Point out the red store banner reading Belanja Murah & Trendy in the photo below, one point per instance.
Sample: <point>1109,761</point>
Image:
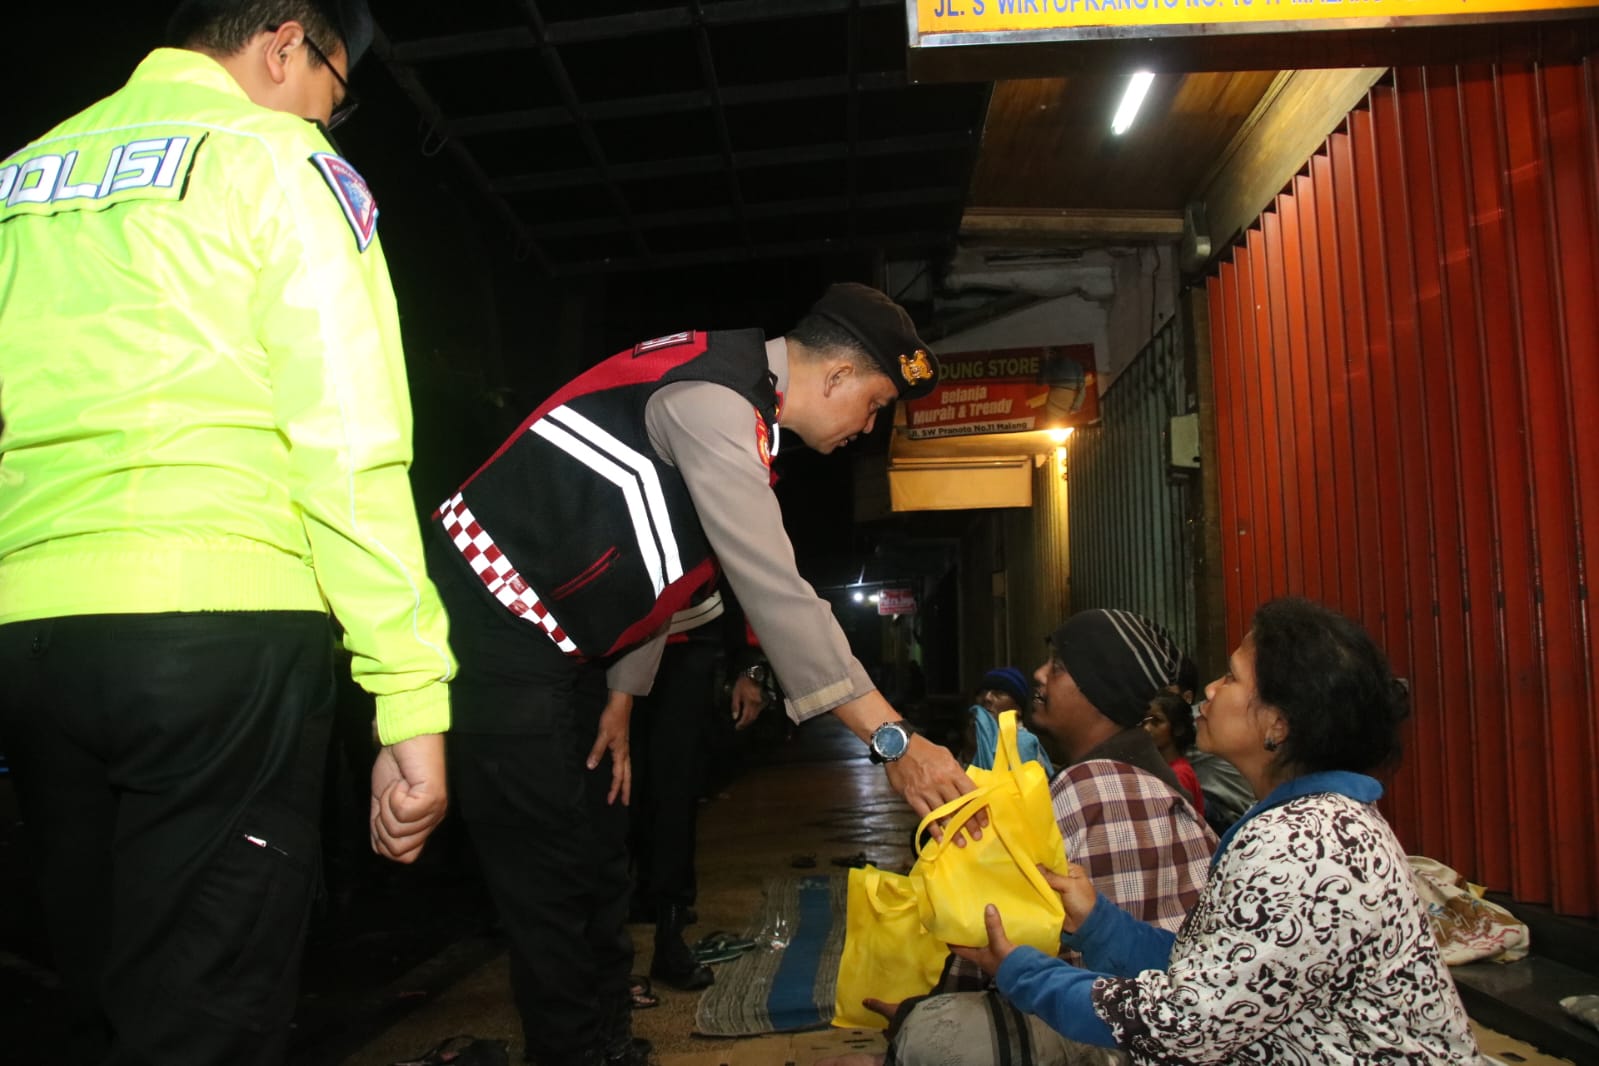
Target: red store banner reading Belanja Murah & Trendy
<point>1008,391</point>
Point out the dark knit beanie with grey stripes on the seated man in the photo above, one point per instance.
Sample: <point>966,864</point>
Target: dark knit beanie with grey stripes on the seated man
<point>1119,659</point>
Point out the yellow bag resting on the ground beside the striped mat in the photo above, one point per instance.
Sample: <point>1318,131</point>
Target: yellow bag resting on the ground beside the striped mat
<point>888,955</point>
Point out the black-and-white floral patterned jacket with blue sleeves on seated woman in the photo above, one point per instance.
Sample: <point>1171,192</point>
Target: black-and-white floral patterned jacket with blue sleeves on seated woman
<point>1309,945</point>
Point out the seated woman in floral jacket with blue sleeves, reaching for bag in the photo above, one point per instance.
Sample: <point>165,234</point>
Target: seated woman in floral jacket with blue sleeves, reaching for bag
<point>1309,944</point>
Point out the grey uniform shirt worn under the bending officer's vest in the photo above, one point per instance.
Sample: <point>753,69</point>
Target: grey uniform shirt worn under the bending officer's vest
<point>708,432</point>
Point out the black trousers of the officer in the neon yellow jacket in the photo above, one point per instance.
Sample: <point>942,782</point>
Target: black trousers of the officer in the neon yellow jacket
<point>169,771</point>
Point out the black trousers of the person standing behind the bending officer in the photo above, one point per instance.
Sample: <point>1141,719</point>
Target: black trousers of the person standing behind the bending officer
<point>669,750</point>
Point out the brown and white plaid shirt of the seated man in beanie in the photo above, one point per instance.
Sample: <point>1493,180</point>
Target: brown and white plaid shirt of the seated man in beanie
<point>1138,838</point>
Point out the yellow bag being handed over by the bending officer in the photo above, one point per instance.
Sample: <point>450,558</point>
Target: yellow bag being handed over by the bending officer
<point>954,885</point>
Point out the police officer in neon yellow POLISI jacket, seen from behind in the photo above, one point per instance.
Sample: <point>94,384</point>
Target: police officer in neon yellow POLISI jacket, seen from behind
<point>205,445</point>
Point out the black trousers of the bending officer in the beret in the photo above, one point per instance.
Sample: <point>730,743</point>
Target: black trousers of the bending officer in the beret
<point>524,718</point>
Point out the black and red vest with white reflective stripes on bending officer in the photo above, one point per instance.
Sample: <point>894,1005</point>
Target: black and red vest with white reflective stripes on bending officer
<point>575,525</point>
